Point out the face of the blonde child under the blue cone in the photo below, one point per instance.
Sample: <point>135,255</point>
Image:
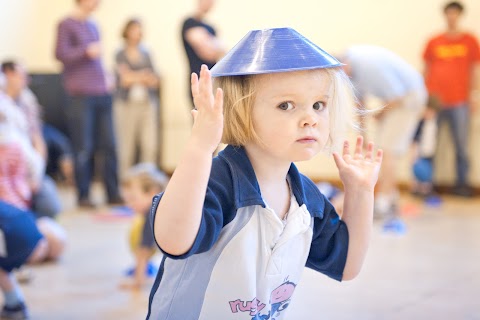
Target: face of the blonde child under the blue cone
<point>291,114</point>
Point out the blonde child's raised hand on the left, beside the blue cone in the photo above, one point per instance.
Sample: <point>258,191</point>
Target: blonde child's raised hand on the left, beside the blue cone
<point>208,112</point>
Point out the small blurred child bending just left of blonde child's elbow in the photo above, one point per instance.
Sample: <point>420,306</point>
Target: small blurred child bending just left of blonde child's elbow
<point>139,185</point>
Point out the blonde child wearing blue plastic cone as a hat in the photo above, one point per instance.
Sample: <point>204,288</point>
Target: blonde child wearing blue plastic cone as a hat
<point>237,230</point>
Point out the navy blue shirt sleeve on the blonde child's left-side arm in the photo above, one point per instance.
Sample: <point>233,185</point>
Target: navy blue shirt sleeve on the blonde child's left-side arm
<point>218,209</point>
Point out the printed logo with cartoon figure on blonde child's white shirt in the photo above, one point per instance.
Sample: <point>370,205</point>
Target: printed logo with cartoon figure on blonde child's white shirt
<point>279,301</point>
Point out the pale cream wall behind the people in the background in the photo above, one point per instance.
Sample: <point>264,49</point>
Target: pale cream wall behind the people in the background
<point>402,26</point>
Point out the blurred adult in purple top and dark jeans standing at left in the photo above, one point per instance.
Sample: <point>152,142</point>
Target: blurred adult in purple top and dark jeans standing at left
<point>90,117</point>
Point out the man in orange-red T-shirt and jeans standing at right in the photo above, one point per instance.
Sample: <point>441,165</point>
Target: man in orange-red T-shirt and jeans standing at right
<point>452,76</point>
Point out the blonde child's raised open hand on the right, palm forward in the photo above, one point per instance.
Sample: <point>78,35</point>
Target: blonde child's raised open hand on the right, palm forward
<point>359,170</point>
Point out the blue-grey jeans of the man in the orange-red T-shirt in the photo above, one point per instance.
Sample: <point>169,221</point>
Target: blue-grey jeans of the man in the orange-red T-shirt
<point>458,121</point>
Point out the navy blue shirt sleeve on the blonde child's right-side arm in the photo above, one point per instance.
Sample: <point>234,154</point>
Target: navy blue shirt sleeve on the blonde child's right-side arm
<point>328,252</point>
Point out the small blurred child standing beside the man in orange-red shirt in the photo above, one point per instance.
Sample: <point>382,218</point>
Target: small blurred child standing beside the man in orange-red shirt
<point>424,147</point>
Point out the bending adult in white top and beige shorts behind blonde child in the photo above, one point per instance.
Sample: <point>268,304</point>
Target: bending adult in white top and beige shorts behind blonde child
<point>378,72</point>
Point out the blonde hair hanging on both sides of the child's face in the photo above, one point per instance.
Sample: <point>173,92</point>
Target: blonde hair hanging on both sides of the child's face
<point>239,96</point>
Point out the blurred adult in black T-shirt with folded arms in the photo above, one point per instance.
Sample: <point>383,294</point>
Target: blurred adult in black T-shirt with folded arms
<point>200,40</point>
